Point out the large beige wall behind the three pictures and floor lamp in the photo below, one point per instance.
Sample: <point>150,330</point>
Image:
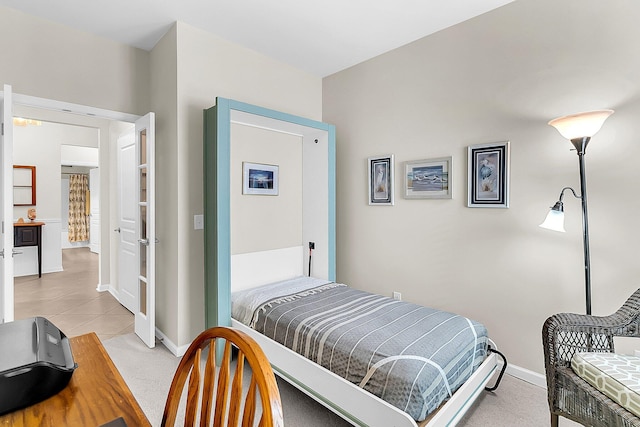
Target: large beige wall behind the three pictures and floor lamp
<point>498,77</point>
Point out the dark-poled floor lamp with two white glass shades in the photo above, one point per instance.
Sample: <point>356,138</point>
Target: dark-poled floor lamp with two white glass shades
<point>577,128</point>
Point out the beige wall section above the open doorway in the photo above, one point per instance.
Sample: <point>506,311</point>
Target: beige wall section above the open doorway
<point>49,60</point>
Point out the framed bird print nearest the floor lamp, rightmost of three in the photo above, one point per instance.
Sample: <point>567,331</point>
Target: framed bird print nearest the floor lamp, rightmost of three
<point>488,175</point>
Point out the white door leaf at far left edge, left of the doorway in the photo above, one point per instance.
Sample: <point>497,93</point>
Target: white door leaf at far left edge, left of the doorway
<point>6,178</point>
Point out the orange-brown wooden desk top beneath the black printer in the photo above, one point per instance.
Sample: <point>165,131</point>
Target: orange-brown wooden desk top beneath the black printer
<point>96,394</point>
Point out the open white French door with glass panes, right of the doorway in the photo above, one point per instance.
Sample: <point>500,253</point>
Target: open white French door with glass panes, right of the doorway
<point>145,313</point>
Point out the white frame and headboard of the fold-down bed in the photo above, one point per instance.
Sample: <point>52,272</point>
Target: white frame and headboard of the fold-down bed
<point>347,400</point>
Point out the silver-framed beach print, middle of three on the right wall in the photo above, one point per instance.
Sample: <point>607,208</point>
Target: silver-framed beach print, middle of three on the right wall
<point>428,179</point>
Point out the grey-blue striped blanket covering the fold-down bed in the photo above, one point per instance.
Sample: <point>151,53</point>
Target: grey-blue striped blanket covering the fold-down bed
<point>411,356</point>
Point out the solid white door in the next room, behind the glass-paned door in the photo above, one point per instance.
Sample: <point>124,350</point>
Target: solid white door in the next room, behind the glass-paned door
<point>127,222</point>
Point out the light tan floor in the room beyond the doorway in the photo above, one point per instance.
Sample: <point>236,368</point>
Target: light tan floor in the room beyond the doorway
<point>70,301</point>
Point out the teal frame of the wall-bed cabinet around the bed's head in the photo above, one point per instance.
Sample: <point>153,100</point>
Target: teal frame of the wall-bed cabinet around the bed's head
<point>217,195</point>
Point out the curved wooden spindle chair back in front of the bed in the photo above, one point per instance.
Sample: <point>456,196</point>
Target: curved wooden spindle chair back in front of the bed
<point>218,395</point>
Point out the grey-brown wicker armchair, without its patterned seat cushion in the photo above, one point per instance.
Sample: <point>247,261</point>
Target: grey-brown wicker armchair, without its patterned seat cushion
<point>565,334</point>
